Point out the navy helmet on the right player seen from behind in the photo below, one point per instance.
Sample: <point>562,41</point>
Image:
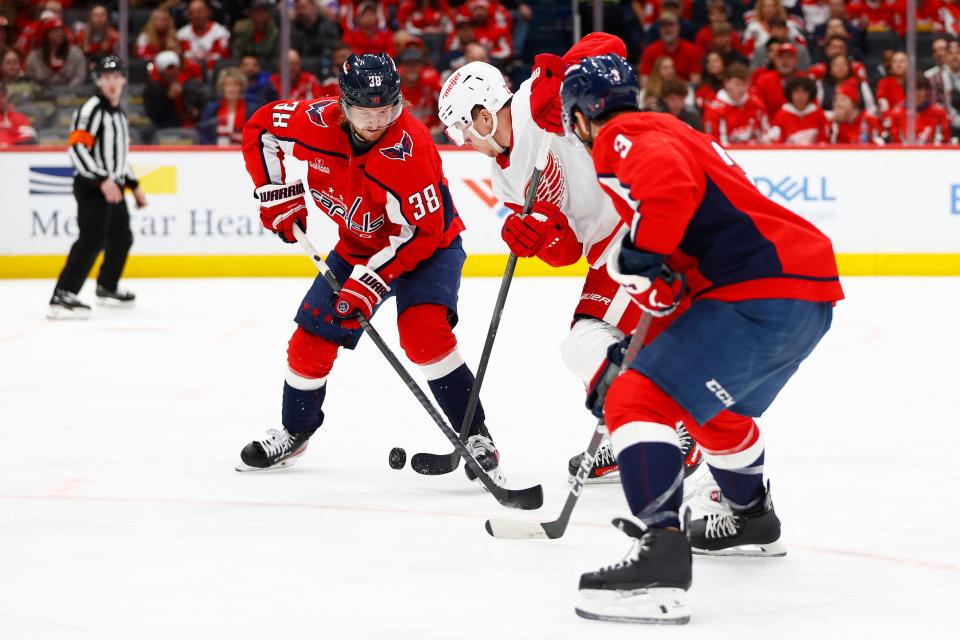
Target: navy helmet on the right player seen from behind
<point>597,86</point>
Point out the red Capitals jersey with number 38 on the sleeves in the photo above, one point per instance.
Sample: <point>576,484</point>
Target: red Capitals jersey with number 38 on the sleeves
<point>391,202</point>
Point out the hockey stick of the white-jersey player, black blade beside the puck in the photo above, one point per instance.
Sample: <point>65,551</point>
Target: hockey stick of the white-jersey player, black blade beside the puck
<point>436,464</point>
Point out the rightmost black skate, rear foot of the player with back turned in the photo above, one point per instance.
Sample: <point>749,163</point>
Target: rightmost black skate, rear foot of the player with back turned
<point>751,532</point>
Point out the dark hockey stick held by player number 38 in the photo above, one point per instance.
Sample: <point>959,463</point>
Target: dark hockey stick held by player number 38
<point>530,498</point>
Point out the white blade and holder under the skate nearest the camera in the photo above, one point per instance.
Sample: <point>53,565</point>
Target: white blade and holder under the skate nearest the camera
<point>657,605</point>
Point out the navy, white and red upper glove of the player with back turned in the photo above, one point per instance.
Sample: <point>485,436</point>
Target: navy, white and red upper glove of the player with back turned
<point>645,276</point>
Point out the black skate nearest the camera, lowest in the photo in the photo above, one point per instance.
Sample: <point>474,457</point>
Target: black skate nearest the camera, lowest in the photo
<point>647,586</point>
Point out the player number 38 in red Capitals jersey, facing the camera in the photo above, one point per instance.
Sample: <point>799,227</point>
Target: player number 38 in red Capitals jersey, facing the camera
<point>374,170</point>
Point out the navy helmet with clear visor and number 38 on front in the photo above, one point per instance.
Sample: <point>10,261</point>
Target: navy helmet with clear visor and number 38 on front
<point>369,81</point>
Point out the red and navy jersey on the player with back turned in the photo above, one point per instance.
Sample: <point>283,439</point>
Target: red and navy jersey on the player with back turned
<point>691,202</point>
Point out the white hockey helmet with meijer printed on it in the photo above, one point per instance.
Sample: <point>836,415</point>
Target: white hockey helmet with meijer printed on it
<point>476,83</point>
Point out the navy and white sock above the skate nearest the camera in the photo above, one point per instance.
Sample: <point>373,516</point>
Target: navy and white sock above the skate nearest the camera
<point>651,471</point>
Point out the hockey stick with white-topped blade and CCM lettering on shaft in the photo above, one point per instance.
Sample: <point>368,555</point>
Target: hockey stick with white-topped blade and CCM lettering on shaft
<point>515,529</point>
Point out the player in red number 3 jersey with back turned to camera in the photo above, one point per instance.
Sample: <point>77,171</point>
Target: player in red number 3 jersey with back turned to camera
<point>763,283</point>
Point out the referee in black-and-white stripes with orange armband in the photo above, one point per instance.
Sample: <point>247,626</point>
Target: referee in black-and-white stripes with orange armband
<point>99,148</point>
